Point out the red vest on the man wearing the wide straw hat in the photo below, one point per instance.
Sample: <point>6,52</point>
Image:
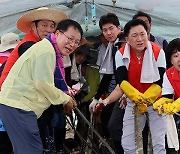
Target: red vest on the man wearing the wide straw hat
<point>14,55</point>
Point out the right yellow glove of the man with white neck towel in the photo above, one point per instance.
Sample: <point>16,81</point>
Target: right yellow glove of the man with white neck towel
<point>152,93</point>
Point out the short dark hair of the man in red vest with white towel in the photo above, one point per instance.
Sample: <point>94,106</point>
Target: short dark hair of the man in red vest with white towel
<point>133,23</point>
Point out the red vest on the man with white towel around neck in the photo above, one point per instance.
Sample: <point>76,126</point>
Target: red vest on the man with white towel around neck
<point>135,66</point>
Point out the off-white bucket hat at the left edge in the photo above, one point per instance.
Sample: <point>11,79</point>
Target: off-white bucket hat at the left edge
<point>9,41</point>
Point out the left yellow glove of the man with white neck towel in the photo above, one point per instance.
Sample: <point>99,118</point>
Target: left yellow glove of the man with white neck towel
<point>131,92</point>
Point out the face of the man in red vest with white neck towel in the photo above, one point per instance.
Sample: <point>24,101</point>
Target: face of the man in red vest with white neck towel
<point>137,38</point>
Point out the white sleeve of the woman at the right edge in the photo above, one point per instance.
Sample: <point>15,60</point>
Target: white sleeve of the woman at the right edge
<point>166,86</point>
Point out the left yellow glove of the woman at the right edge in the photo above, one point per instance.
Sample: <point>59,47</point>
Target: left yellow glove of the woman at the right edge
<point>158,105</point>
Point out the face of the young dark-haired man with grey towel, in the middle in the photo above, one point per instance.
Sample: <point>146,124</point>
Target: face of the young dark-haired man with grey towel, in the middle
<point>111,32</point>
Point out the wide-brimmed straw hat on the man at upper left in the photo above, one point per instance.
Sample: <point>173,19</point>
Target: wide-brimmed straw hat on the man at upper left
<point>44,13</point>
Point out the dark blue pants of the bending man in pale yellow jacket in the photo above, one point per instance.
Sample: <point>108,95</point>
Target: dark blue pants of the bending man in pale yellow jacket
<point>22,130</point>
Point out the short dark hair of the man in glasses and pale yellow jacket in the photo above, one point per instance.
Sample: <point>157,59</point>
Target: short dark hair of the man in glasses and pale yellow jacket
<point>65,24</point>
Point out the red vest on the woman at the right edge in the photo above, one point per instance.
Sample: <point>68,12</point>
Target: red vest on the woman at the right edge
<point>174,79</point>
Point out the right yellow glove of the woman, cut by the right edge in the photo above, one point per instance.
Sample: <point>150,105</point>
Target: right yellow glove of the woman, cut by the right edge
<point>173,107</point>
